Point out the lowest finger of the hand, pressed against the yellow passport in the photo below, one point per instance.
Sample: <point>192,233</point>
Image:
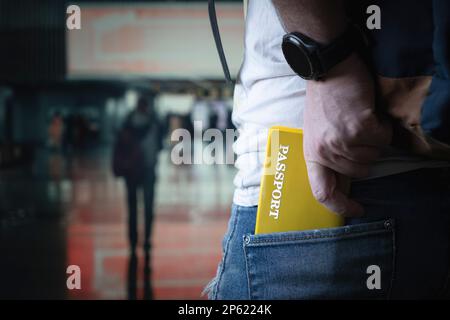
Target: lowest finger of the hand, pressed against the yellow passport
<point>325,186</point>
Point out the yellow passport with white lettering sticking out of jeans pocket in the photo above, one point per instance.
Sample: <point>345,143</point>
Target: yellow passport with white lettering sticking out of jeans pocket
<point>286,202</point>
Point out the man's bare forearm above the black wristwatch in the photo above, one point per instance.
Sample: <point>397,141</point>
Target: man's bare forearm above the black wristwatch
<point>322,20</point>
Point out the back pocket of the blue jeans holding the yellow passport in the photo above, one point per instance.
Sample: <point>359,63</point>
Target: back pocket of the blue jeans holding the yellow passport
<point>349,262</point>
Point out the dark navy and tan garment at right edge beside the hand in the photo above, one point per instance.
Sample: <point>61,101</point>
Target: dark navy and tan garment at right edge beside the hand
<point>411,56</point>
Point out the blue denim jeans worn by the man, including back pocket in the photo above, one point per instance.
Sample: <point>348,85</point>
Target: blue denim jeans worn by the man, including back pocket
<point>400,249</point>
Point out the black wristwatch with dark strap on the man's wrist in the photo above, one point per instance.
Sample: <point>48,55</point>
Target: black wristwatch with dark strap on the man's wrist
<point>312,60</point>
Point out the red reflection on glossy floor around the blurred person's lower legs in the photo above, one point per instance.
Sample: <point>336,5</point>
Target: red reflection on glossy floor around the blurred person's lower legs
<point>183,259</point>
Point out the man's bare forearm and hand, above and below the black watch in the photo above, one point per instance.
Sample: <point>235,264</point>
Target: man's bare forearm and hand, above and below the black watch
<point>342,135</point>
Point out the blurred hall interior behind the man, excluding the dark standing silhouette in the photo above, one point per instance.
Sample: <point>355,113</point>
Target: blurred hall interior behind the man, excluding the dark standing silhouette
<point>64,95</point>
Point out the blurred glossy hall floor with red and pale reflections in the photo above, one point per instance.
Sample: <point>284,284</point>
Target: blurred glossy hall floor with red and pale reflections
<point>71,211</point>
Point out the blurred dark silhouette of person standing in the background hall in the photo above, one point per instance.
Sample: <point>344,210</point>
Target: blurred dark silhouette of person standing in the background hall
<point>135,158</point>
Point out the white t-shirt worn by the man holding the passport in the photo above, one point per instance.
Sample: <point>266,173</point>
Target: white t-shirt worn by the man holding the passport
<point>269,93</point>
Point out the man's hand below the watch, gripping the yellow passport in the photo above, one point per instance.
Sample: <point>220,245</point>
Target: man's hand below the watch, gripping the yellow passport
<point>342,134</point>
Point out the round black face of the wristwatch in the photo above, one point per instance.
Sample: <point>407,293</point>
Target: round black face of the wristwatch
<point>297,57</point>
